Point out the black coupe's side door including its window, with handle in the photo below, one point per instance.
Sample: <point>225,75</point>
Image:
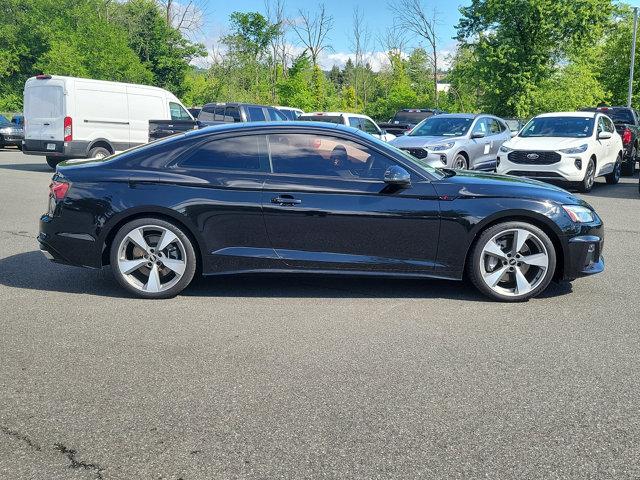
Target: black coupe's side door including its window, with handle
<point>326,207</point>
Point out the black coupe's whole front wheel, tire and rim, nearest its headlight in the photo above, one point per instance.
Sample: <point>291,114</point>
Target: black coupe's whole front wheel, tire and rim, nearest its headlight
<point>512,262</point>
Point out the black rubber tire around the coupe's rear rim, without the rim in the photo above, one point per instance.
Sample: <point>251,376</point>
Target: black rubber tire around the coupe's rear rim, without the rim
<point>189,254</point>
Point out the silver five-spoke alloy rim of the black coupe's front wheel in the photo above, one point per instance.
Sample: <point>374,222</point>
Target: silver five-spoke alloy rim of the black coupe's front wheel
<point>514,262</point>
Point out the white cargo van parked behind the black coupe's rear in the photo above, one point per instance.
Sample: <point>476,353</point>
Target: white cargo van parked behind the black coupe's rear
<point>68,117</point>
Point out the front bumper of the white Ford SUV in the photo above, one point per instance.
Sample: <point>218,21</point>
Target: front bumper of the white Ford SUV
<point>564,170</point>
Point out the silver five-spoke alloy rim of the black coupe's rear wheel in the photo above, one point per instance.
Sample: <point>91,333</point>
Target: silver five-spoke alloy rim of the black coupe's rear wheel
<point>151,258</point>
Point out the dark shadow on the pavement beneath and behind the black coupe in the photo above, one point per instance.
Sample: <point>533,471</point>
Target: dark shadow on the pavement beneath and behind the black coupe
<point>31,270</point>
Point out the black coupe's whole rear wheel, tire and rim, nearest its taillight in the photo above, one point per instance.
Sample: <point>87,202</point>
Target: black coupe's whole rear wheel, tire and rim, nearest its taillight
<point>152,258</point>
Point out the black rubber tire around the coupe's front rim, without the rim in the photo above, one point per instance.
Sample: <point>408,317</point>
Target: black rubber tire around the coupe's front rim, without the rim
<point>475,265</point>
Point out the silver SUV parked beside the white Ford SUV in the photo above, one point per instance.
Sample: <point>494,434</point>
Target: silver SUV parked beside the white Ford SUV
<point>456,140</point>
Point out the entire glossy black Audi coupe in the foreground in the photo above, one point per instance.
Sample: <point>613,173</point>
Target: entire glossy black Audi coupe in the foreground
<point>310,197</point>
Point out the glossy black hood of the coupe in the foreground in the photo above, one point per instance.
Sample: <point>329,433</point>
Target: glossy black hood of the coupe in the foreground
<point>470,183</point>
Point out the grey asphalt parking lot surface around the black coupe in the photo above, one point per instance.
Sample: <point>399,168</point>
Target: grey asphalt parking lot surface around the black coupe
<point>270,377</point>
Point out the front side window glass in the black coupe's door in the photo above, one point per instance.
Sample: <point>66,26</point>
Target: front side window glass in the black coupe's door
<point>321,155</point>
